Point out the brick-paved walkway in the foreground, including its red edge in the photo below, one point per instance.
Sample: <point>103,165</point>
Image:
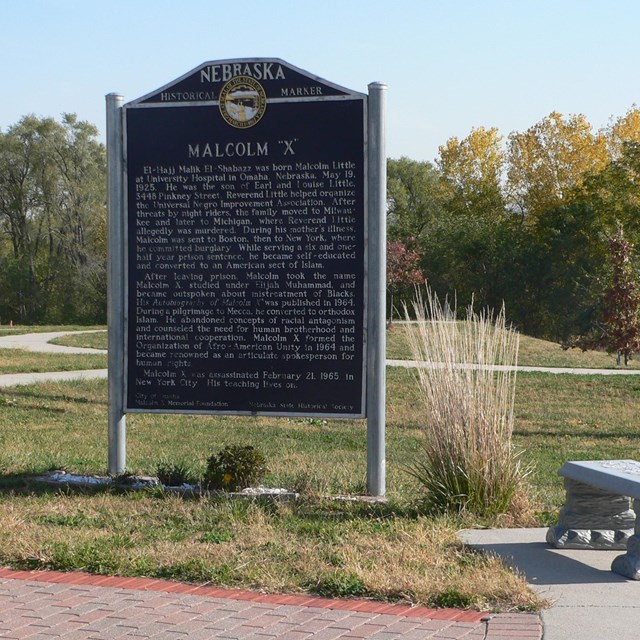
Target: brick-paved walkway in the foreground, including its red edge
<point>43,605</point>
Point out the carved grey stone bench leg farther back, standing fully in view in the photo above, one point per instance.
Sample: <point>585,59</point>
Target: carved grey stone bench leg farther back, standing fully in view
<point>592,519</point>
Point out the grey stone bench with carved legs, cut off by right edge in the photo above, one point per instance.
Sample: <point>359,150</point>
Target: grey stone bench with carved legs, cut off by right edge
<point>597,513</point>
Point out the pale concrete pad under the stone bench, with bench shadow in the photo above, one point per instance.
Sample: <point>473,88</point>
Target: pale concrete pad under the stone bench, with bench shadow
<point>589,602</point>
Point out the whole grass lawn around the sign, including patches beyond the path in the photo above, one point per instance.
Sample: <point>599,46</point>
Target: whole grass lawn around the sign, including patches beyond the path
<point>316,545</point>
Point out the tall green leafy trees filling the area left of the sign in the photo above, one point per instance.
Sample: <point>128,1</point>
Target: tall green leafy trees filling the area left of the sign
<point>52,221</point>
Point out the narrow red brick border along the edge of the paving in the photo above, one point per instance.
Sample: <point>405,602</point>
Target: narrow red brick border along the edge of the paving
<point>167,586</point>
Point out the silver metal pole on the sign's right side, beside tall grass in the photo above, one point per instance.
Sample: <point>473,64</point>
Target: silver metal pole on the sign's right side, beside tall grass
<point>376,339</point>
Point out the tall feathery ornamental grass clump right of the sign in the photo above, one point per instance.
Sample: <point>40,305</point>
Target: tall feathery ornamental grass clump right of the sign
<point>467,461</point>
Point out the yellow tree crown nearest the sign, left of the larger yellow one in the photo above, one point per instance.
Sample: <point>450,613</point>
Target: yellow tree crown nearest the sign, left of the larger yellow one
<point>473,169</point>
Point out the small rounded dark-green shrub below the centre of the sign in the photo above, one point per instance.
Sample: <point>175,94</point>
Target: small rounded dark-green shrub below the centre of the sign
<point>234,468</point>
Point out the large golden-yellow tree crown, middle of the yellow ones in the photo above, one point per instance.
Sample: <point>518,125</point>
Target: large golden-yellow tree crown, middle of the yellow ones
<point>550,160</point>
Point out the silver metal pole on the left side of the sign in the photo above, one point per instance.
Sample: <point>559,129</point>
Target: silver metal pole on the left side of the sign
<point>115,285</point>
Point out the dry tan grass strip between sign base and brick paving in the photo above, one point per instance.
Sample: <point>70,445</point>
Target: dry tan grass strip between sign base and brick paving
<point>280,548</point>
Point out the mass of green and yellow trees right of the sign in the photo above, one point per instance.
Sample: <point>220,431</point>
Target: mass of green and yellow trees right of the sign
<point>525,220</point>
